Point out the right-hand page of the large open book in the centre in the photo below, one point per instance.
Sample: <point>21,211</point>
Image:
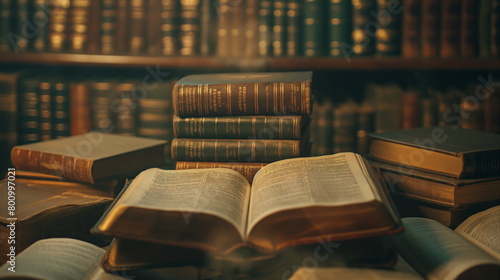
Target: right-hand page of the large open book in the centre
<point>320,181</point>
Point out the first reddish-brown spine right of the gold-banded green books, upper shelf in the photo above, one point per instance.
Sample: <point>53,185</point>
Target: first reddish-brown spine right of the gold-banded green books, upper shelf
<point>410,40</point>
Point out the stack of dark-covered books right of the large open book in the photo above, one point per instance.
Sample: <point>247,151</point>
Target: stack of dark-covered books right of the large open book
<point>444,173</point>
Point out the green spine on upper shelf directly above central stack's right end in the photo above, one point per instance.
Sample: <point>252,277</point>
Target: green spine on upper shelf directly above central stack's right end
<point>314,17</point>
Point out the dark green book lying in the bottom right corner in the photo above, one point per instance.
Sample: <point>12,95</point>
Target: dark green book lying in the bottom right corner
<point>437,252</point>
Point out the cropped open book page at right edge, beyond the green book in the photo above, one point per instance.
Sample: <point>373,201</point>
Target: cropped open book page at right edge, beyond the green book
<point>483,228</point>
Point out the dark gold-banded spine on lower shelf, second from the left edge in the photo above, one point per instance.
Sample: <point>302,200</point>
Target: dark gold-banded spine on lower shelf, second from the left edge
<point>29,114</point>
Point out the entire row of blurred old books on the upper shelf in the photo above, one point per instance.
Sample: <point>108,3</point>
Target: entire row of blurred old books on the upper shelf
<point>224,28</point>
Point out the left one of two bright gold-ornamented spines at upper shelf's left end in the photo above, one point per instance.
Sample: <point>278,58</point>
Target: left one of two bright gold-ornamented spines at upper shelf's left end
<point>58,21</point>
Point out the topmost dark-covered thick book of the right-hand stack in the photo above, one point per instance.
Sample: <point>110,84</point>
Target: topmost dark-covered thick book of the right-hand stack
<point>454,152</point>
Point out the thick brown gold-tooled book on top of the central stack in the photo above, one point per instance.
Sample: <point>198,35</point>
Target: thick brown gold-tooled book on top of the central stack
<point>286,93</point>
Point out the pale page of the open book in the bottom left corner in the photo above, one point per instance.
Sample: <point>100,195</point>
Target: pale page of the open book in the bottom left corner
<point>58,258</point>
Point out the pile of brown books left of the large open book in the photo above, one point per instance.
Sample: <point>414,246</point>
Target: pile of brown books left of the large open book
<point>61,187</point>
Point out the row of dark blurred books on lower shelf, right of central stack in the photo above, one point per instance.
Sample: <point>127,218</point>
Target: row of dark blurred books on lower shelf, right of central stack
<point>346,125</point>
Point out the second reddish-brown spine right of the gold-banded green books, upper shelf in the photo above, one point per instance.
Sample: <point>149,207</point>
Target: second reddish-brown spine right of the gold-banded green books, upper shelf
<point>431,26</point>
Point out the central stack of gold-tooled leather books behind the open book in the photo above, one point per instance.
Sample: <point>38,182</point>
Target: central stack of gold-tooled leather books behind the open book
<point>240,121</point>
